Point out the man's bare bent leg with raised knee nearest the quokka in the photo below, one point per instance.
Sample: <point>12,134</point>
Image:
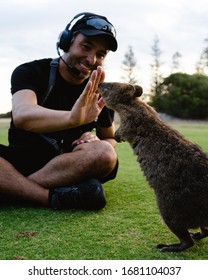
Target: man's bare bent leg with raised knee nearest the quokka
<point>89,160</point>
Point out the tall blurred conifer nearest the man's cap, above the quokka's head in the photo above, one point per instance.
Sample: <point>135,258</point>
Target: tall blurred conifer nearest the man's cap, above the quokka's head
<point>129,66</point>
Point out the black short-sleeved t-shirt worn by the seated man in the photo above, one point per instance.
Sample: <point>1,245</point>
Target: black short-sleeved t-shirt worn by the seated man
<point>35,76</point>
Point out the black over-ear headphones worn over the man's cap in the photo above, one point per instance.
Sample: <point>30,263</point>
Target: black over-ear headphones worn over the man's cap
<point>66,36</point>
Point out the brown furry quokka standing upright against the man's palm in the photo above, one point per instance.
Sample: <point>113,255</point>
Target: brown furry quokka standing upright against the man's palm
<point>175,168</point>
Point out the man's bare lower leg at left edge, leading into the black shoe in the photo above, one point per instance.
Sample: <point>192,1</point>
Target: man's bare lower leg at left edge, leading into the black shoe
<point>15,184</point>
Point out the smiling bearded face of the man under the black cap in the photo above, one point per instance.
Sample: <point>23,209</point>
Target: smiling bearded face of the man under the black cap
<point>86,54</point>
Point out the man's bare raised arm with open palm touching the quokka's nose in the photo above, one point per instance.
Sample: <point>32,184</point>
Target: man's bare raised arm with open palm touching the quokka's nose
<point>30,116</point>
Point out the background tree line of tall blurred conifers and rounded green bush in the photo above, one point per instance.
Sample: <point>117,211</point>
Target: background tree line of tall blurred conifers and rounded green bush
<point>179,94</point>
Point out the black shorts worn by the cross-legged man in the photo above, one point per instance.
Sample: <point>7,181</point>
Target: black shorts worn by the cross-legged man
<point>30,159</point>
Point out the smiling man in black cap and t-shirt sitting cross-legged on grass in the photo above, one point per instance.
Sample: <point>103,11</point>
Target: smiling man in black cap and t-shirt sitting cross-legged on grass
<point>54,158</point>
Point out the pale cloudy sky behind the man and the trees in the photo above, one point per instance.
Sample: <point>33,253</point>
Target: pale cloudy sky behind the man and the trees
<point>29,30</point>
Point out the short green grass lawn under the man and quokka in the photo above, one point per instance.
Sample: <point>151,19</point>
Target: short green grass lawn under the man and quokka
<point>129,227</point>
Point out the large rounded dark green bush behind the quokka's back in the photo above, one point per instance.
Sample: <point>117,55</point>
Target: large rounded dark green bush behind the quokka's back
<point>183,96</point>
